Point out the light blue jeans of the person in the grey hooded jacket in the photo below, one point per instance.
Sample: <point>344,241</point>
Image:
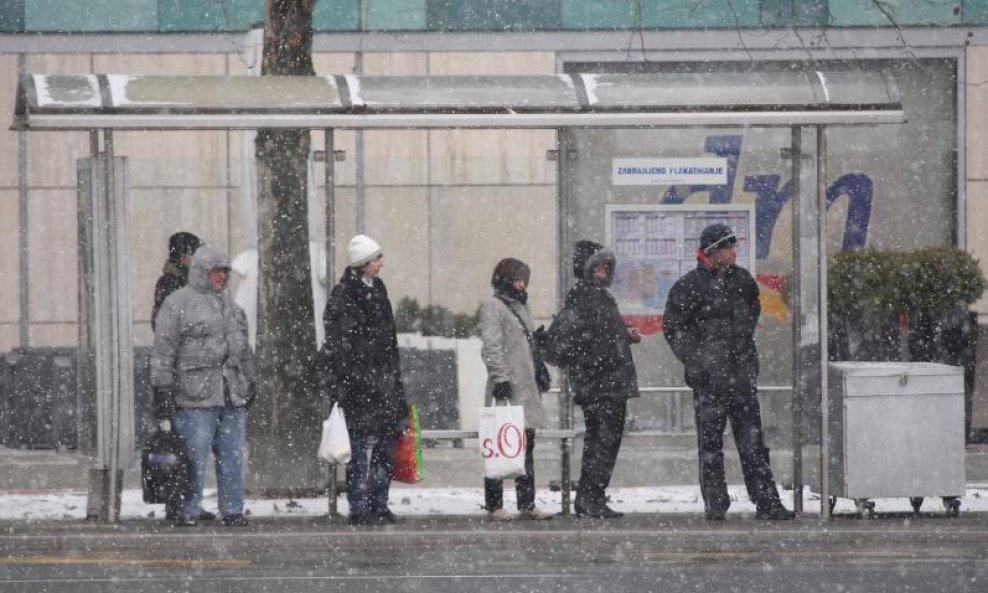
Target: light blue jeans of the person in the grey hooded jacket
<point>222,429</point>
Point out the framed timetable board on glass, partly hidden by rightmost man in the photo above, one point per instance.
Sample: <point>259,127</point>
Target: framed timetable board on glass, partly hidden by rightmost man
<point>656,244</point>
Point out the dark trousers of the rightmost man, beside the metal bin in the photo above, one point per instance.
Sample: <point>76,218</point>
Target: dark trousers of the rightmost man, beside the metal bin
<point>713,407</point>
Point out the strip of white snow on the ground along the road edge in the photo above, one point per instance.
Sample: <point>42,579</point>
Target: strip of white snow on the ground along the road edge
<point>49,505</point>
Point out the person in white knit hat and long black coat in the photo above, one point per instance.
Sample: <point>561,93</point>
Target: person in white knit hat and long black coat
<point>362,373</point>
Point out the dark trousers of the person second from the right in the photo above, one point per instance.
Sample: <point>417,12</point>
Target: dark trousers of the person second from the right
<point>604,420</point>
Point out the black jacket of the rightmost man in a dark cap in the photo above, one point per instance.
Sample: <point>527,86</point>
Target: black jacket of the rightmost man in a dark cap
<point>710,321</point>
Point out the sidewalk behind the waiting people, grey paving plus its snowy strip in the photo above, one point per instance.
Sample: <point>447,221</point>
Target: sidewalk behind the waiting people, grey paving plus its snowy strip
<point>653,476</point>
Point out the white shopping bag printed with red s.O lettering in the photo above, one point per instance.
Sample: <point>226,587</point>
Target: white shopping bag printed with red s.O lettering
<point>502,441</point>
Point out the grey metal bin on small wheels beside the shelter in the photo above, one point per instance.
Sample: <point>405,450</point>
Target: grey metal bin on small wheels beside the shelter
<point>896,430</point>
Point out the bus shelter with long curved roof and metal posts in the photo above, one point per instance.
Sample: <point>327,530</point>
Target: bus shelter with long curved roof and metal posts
<point>102,104</point>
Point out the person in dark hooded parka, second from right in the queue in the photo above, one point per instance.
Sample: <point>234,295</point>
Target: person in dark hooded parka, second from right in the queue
<point>600,369</point>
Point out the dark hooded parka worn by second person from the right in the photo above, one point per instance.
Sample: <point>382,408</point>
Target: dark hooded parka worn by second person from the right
<point>600,364</point>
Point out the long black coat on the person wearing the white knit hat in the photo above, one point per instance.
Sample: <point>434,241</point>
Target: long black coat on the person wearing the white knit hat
<point>361,367</point>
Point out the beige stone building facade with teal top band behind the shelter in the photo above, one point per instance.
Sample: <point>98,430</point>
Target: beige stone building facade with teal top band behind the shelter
<point>448,204</point>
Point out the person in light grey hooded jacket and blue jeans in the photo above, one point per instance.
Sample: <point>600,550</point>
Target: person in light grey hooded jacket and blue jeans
<point>204,376</point>
